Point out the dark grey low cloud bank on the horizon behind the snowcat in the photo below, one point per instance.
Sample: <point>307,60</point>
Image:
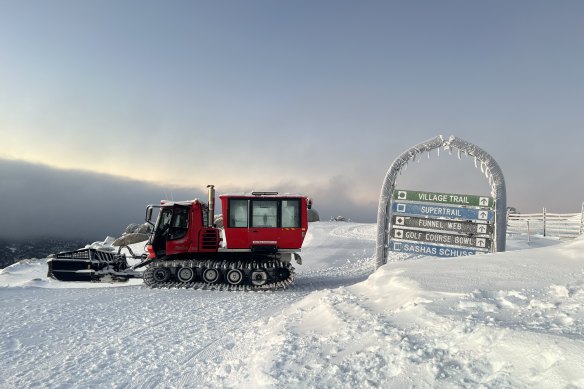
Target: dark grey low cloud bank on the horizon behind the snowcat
<point>37,200</point>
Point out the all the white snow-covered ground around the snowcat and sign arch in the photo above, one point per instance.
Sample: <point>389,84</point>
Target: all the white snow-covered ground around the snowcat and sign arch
<point>513,319</point>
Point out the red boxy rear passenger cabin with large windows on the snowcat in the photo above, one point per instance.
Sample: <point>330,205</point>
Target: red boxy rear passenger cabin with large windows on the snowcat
<point>264,221</point>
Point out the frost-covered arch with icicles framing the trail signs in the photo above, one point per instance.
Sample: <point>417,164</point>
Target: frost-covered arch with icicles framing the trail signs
<point>489,167</point>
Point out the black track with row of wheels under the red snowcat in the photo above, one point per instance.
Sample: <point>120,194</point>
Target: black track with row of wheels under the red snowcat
<point>256,275</point>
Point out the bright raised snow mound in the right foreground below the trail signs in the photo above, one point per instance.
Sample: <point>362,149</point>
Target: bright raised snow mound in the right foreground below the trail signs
<point>500,320</point>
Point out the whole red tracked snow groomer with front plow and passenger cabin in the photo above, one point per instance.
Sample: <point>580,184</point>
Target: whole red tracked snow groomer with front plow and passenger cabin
<point>262,233</point>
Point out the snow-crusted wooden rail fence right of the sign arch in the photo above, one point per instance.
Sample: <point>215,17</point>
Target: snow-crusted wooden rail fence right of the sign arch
<point>565,226</point>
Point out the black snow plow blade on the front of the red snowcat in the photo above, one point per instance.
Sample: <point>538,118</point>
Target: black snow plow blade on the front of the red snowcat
<point>89,265</point>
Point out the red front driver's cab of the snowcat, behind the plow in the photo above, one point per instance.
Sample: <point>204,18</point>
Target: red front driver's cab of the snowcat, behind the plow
<point>182,227</point>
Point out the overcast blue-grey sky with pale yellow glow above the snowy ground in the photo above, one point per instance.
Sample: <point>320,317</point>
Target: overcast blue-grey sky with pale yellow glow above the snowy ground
<point>316,97</point>
